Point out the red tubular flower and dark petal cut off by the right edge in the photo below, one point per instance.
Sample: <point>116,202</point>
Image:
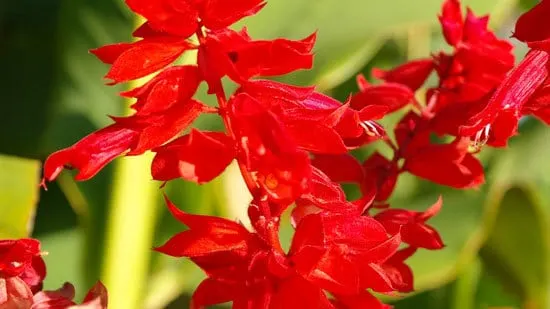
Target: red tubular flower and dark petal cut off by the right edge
<point>524,90</point>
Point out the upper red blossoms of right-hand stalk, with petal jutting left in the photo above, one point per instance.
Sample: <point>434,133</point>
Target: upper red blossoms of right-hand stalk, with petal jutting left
<point>467,77</point>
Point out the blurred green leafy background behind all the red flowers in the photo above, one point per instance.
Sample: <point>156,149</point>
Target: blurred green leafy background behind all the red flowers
<point>52,94</point>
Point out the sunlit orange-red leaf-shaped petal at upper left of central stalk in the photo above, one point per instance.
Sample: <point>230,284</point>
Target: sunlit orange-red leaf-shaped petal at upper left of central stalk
<point>146,57</point>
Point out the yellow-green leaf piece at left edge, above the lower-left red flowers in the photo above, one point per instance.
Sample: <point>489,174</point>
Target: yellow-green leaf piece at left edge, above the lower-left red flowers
<point>19,187</point>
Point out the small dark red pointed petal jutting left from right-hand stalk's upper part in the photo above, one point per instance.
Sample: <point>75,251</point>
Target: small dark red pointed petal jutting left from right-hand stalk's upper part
<point>412,74</point>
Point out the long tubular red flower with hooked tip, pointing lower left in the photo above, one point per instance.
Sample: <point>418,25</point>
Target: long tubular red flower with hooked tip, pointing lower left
<point>130,135</point>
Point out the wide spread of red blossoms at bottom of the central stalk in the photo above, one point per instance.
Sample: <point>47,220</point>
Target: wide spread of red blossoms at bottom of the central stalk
<point>324,255</point>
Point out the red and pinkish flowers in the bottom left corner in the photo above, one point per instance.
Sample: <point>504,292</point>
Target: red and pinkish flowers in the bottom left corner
<point>22,271</point>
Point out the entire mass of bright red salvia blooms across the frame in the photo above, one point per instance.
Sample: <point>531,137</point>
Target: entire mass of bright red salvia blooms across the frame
<point>292,147</point>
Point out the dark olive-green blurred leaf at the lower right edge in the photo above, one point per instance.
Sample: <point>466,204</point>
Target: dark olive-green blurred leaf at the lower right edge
<point>517,250</point>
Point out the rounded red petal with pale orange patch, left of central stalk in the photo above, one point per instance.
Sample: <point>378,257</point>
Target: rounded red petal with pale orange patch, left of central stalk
<point>198,156</point>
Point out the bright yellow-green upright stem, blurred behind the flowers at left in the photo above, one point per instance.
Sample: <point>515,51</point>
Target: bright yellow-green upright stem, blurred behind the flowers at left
<point>130,230</point>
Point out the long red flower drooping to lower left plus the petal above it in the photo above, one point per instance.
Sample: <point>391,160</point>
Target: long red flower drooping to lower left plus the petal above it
<point>164,108</point>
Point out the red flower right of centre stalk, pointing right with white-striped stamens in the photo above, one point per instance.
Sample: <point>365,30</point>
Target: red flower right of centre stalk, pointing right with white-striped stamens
<point>319,123</point>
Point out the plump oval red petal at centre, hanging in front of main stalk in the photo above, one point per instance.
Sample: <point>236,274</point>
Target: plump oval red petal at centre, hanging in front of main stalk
<point>271,155</point>
